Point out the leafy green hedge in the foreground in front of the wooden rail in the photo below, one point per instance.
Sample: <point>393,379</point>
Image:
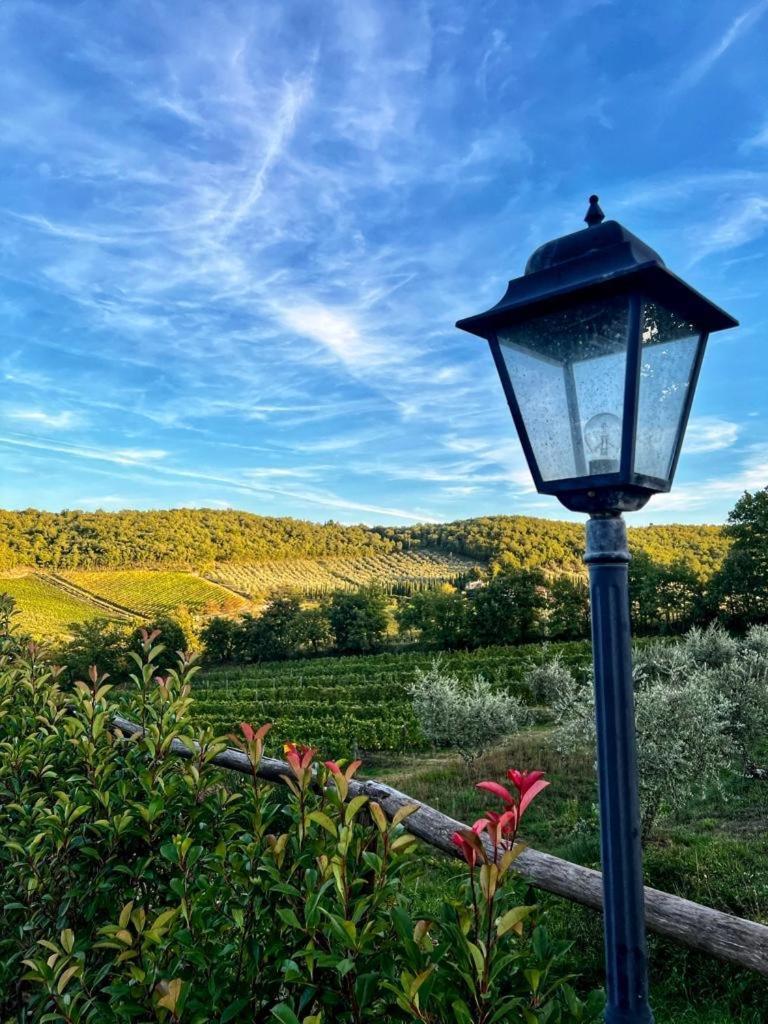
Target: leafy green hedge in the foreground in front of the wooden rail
<point>136,885</point>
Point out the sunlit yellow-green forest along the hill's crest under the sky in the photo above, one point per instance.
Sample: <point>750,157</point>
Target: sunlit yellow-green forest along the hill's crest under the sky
<point>197,539</point>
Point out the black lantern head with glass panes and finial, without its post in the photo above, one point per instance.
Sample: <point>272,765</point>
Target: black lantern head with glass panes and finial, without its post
<point>599,348</point>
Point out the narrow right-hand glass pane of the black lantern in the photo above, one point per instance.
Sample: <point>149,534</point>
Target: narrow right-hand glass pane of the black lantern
<point>668,357</point>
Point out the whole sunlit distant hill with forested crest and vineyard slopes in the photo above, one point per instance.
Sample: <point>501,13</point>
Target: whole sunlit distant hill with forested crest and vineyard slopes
<point>70,567</point>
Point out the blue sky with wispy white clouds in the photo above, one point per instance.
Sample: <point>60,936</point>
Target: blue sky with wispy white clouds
<point>235,238</point>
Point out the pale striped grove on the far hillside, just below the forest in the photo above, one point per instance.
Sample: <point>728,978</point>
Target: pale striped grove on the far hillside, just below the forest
<point>397,572</point>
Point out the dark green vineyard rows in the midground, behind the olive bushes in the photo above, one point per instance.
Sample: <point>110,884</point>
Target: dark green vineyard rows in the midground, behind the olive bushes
<point>348,704</point>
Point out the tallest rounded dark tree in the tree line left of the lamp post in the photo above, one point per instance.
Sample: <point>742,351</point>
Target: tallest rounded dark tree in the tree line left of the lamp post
<point>508,610</point>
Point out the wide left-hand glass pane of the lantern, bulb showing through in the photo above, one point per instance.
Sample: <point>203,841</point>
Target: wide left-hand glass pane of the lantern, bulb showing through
<point>568,372</point>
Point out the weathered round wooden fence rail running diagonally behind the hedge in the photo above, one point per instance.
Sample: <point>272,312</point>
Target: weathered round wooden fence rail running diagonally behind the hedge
<point>722,935</point>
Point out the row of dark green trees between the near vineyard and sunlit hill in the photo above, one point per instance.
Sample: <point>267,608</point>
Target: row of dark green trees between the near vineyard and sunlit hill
<point>511,606</point>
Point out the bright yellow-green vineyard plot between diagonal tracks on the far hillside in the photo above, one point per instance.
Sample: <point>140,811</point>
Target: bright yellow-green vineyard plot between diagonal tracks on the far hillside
<point>150,592</point>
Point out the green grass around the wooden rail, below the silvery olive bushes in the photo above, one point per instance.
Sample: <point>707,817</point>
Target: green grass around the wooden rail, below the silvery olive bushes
<point>716,854</point>
